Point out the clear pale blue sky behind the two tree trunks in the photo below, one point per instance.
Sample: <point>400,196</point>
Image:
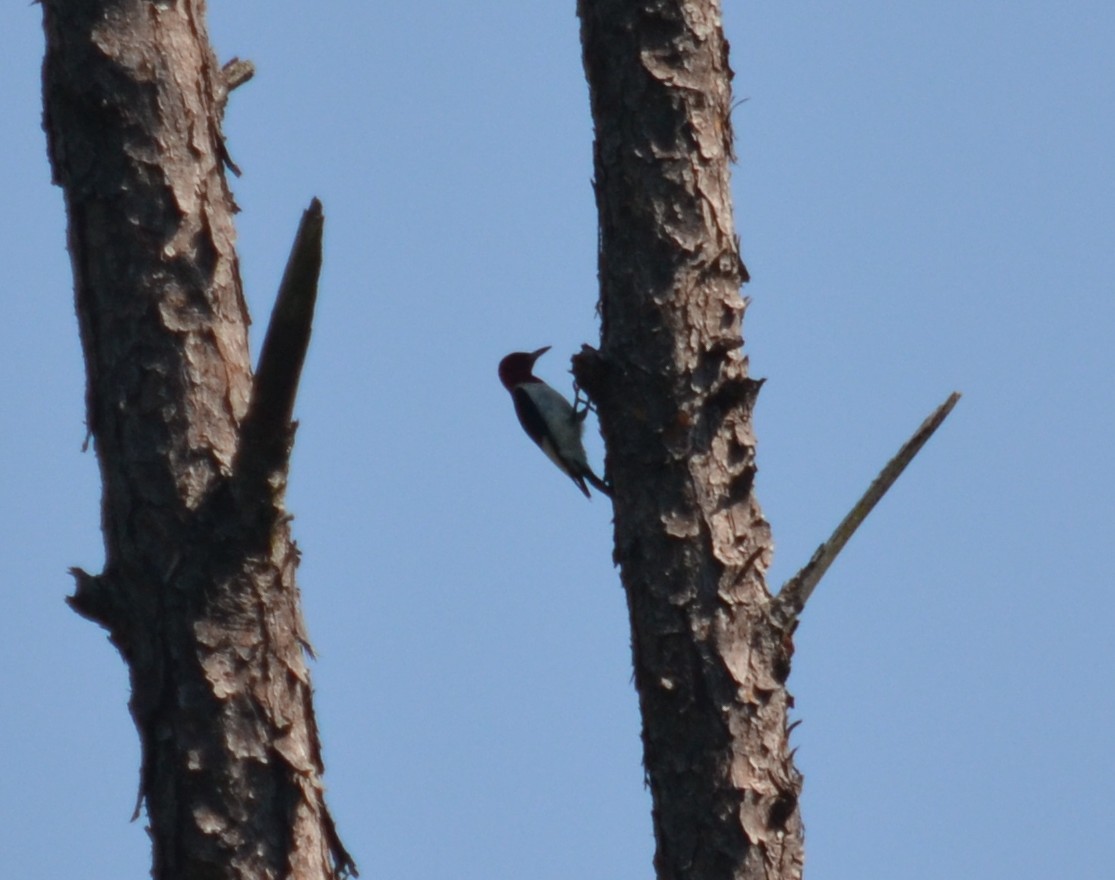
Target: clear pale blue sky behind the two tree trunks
<point>926,196</point>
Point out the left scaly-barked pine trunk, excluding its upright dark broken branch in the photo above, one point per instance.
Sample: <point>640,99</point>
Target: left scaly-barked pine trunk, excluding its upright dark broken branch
<point>199,589</point>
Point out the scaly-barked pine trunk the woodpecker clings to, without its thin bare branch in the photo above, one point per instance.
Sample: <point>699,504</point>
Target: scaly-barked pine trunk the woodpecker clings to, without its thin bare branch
<point>675,403</point>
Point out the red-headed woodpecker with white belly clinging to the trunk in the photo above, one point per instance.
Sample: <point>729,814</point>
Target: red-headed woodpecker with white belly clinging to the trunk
<point>549,419</point>
